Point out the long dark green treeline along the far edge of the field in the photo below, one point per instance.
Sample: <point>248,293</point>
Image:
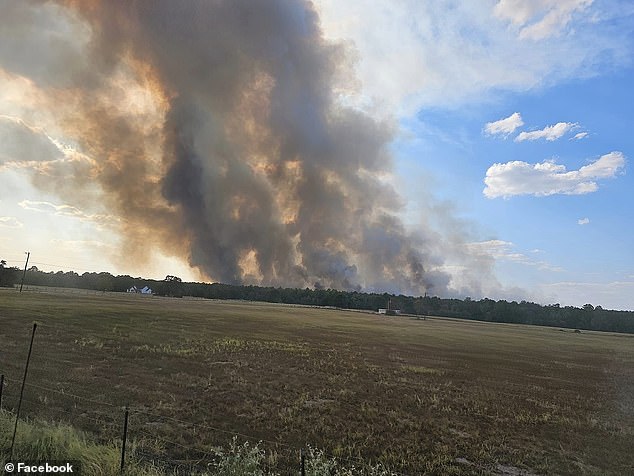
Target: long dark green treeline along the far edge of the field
<point>588,317</point>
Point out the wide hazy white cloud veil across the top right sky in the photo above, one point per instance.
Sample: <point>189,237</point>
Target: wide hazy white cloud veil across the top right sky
<point>411,54</point>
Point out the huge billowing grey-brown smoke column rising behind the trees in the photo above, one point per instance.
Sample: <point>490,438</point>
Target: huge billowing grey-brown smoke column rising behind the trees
<point>214,130</point>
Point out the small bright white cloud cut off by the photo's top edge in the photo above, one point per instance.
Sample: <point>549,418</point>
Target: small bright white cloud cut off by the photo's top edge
<point>540,19</point>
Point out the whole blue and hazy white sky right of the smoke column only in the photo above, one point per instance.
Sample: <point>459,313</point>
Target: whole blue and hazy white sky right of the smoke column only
<point>451,70</point>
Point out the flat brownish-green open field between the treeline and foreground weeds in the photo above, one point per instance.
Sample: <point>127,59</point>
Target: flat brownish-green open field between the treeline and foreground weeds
<point>423,396</point>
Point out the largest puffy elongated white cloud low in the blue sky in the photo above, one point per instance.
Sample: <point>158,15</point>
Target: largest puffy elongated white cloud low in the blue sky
<point>549,178</point>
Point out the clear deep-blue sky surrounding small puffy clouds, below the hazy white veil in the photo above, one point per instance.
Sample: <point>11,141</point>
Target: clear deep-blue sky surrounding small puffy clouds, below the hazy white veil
<point>585,238</point>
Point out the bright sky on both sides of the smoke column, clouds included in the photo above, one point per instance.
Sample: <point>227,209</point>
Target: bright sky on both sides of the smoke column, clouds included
<point>533,96</point>
